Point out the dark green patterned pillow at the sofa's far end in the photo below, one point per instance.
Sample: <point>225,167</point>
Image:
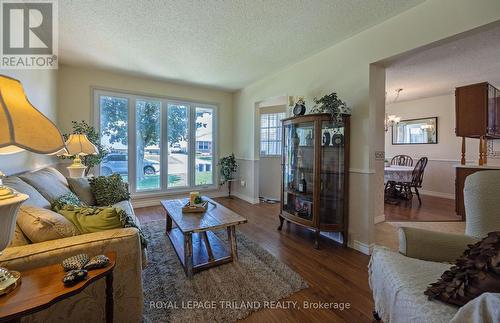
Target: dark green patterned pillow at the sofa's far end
<point>109,190</point>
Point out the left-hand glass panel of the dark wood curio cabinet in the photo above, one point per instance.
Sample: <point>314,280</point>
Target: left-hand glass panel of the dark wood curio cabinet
<point>298,169</point>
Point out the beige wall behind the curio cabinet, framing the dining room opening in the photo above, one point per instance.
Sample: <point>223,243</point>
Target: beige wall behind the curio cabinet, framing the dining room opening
<point>345,68</point>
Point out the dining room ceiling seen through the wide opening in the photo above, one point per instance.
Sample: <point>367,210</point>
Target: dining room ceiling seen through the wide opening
<point>471,58</point>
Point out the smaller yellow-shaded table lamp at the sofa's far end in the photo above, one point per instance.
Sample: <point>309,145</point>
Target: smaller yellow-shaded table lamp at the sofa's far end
<point>79,145</point>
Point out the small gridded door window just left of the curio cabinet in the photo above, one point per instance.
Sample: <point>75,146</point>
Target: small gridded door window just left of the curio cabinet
<point>270,133</point>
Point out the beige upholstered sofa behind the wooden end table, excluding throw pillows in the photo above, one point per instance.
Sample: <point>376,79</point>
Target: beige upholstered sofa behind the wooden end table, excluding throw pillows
<point>88,306</point>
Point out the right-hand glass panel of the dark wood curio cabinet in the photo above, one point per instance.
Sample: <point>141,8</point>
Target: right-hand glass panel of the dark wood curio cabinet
<point>331,208</point>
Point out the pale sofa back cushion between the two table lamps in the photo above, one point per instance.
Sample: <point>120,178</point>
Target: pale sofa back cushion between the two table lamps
<point>49,182</point>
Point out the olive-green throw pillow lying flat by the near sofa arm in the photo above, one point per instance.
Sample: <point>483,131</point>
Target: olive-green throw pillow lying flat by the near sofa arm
<point>94,219</point>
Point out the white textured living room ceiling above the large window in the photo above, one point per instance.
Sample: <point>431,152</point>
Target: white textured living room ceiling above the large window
<point>223,44</point>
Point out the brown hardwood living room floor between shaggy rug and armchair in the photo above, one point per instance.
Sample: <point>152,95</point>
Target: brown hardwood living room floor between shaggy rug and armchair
<point>333,273</point>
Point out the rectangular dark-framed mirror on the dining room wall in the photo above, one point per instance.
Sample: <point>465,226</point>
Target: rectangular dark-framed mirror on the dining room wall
<point>415,131</point>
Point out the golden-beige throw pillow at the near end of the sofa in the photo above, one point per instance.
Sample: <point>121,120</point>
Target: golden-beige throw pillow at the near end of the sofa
<point>43,225</point>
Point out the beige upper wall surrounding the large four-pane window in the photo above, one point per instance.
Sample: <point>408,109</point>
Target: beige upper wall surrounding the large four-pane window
<point>75,98</point>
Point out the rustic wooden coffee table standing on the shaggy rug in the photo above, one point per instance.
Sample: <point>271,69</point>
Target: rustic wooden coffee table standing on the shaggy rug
<point>193,239</point>
